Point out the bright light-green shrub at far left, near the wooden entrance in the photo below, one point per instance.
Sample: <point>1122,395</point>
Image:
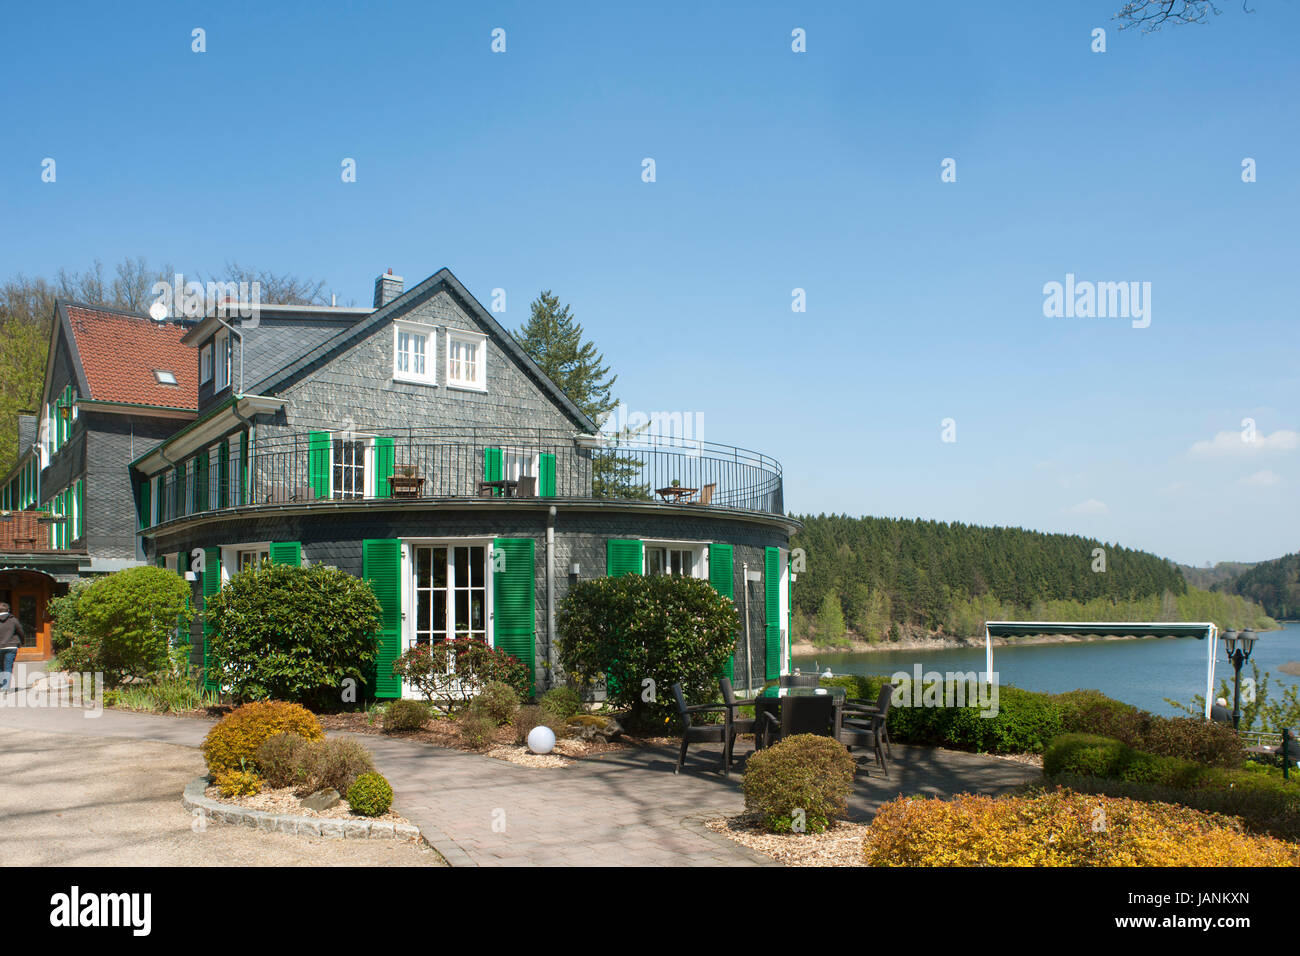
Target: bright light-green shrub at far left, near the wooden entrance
<point>127,622</point>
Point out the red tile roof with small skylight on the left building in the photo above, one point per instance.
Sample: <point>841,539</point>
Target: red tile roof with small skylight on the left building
<point>120,353</point>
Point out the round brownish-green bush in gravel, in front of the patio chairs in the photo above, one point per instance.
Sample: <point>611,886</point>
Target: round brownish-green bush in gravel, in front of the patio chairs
<point>805,772</point>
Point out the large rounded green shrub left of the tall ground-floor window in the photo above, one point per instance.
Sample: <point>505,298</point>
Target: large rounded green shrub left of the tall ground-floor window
<point>293,634</point>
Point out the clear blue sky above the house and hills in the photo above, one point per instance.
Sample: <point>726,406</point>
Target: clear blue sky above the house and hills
<point>774,171</point>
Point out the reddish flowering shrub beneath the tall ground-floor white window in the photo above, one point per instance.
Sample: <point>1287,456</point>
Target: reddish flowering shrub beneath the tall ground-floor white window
<point>454,673</point>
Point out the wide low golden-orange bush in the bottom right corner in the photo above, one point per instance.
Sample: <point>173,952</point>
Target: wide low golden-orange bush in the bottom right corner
<point>1063,829</point>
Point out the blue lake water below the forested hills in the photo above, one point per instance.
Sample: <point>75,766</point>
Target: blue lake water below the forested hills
<point>1139,672</point>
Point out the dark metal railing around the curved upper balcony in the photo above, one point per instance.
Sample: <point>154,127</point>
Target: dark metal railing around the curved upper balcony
<point>302,470</point>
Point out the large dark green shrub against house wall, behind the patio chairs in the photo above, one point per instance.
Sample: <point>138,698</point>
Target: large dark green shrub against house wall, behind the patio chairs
<point>635,628</point>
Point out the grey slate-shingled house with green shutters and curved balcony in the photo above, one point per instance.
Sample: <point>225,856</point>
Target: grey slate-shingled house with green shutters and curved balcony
<point>418,447</point>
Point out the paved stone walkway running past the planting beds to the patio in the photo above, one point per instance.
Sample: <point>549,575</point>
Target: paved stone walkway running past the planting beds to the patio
<point>626,808</point>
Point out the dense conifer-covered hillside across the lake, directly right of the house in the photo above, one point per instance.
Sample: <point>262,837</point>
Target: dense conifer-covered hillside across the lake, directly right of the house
<point>882,577</point>
